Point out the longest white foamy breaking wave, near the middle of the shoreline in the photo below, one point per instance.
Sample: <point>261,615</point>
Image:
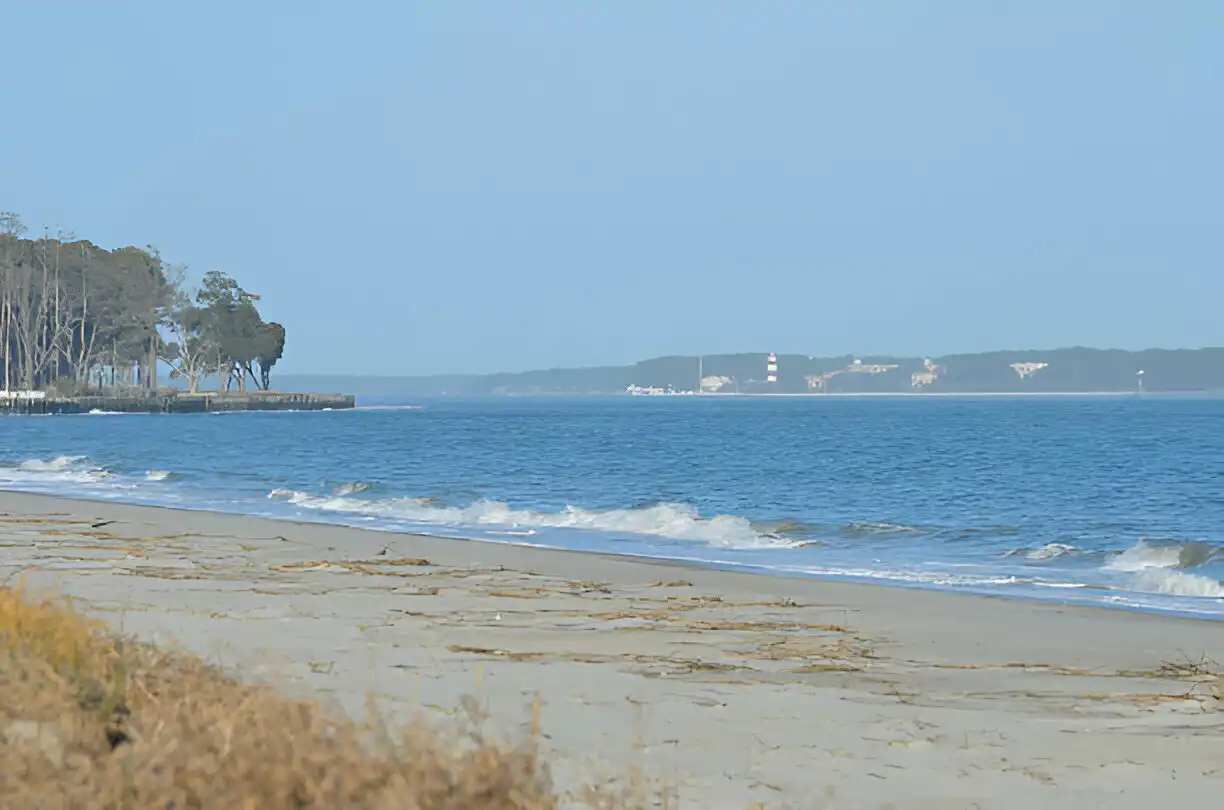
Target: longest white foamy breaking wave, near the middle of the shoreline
<point>675,522</point>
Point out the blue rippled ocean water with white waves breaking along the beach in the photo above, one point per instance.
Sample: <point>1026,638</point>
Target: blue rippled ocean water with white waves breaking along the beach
<point>1112,501</point>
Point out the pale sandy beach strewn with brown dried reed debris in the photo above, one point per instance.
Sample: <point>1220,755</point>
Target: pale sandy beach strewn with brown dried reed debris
<point>723,689</point>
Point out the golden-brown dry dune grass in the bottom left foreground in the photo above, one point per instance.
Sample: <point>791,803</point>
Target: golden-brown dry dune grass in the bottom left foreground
<point>90,719</point>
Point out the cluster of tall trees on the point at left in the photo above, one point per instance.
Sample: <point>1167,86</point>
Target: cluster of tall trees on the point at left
<point>80,319</point>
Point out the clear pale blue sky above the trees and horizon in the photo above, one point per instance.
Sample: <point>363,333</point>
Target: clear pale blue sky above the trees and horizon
<point>422,188</point>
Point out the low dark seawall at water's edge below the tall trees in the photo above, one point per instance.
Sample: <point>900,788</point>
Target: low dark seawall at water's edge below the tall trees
<point>168,402</point>
